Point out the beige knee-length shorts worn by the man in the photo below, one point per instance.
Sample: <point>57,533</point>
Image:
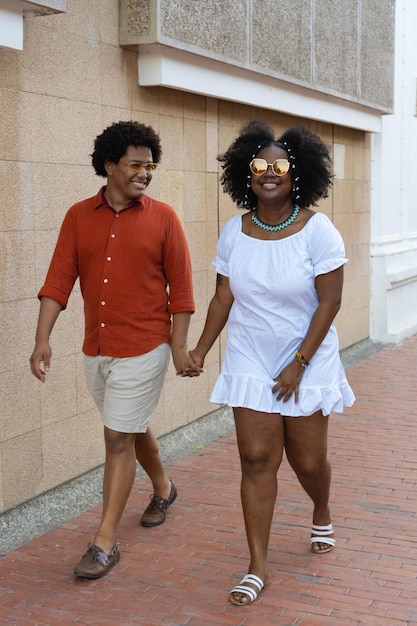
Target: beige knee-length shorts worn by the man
<point>126,391</point>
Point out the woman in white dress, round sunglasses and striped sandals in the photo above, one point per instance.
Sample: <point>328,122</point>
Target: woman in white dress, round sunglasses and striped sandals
<point>279,286</point>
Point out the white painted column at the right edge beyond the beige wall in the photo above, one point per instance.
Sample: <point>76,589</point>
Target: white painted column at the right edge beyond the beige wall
<point>394,195</point>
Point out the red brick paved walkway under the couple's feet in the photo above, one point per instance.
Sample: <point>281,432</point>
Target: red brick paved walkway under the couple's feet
<point>180,573</point>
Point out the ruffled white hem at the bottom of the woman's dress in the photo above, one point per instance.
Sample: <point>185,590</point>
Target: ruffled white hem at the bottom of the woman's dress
<point>252,393</point>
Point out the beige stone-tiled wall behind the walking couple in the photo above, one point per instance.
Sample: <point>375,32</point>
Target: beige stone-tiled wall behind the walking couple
<point>71,80</point>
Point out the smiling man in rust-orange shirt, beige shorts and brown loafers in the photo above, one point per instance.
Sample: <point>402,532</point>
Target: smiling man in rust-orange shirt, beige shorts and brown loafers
<point>131,257</point>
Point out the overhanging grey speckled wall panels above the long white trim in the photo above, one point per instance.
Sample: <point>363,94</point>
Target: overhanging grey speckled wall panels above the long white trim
<point>338,48</point>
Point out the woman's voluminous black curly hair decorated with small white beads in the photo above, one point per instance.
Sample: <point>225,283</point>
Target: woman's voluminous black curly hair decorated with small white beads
<point>310,162</point>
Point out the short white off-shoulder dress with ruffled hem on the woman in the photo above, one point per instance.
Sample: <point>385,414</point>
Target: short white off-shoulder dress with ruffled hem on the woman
<point>273,284</point>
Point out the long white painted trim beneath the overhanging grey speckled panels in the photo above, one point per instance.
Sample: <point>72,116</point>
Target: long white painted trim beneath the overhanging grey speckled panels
<point>179,69</point>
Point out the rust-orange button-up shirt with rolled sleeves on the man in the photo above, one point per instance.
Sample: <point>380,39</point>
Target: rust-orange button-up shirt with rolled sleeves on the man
<point>134,269</point>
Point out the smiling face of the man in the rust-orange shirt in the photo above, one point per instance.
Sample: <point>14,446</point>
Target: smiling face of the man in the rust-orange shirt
<point>123,183</point>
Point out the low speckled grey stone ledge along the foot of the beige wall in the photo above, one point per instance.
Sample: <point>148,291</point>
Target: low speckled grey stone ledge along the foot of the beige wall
<point>40,515</point>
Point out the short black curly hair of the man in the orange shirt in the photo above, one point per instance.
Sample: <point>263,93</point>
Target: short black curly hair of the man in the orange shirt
<point>114,141</point>
